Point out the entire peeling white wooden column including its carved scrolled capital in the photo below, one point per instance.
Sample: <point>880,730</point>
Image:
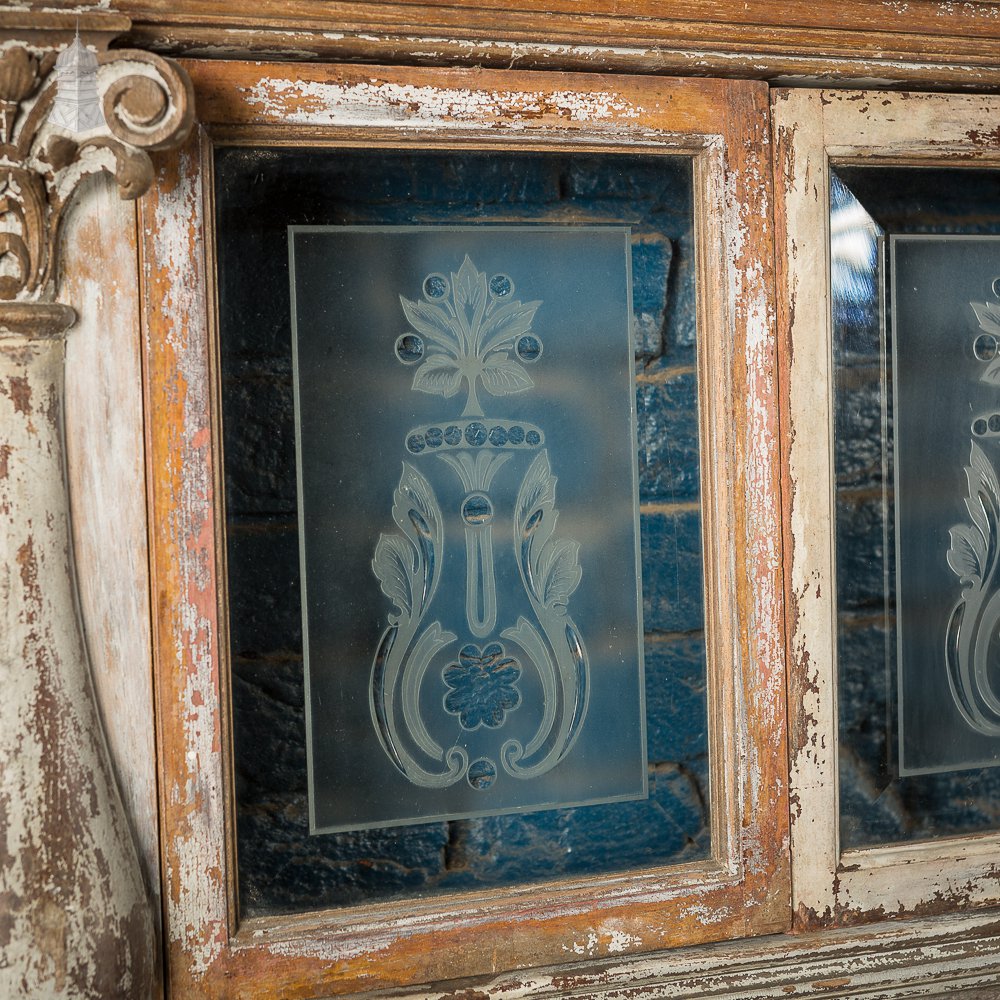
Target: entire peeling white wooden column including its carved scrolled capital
<point>75,919</point>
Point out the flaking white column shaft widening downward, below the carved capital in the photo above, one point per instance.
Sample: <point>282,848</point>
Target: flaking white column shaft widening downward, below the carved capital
<point>75,921</point>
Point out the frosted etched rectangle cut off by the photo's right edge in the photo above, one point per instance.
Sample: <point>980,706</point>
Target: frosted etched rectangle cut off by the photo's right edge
<point>946,392</point>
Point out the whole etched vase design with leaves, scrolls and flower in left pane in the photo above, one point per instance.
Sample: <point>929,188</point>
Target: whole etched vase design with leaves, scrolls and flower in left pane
<point>468,331</point>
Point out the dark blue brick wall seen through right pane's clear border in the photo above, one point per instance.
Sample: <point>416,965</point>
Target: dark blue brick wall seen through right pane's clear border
<point>877,806</point>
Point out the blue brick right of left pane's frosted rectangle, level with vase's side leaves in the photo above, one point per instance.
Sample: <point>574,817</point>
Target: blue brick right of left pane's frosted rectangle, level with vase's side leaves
<point>672,598</point>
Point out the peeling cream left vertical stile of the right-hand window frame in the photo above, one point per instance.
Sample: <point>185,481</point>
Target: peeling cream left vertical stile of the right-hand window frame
<point>801,183</point>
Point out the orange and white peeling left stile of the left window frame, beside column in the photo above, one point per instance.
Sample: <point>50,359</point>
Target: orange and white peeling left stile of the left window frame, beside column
<point>182,543</point>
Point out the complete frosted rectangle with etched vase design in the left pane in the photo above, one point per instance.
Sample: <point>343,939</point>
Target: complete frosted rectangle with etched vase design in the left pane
<point>468,526</point>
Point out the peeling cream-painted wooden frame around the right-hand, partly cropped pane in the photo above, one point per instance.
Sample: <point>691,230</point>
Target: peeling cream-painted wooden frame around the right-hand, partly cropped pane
<point>813,129</point>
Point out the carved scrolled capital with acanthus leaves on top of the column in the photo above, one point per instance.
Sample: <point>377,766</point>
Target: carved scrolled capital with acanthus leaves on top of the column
<point>147,104</point>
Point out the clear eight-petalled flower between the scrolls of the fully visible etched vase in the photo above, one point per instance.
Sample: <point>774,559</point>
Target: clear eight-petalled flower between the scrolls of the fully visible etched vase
<point>482,686</point>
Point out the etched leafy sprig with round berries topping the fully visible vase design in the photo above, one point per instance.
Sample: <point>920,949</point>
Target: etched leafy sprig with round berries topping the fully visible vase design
<point>471,330</point>
